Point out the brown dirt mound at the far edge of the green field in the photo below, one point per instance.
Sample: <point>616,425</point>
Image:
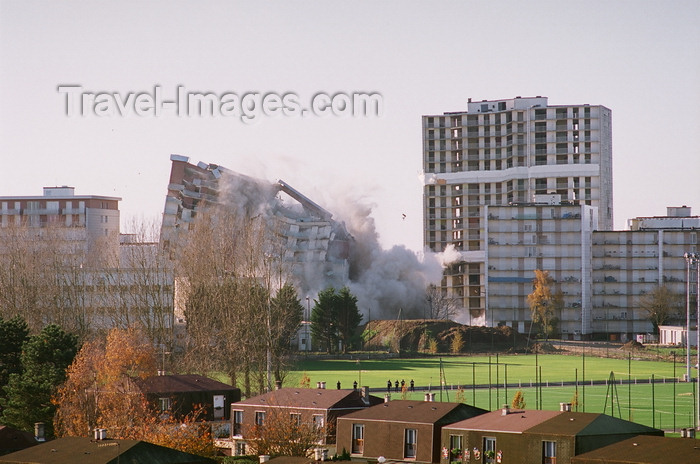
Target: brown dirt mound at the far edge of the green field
<point>440,336</point>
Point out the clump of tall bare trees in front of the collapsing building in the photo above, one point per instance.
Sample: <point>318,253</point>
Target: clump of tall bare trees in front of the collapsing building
<point>231,265</point>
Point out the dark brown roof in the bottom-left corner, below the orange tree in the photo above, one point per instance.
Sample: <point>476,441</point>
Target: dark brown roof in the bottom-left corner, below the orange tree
<point>75,450</point>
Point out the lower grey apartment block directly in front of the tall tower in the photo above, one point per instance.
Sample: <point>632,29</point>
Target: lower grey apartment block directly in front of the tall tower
<point>551,237</point>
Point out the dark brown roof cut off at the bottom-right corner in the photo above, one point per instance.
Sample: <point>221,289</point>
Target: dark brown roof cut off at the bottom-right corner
<point>644,449</point>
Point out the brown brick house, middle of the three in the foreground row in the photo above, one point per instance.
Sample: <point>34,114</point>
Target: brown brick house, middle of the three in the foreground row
<point>400,430</point>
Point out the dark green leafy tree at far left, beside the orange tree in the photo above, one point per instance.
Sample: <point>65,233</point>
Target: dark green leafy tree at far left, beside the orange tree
<point>45,358</point>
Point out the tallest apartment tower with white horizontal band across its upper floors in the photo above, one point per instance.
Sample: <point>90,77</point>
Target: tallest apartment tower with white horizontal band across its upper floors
<point>504,152</point>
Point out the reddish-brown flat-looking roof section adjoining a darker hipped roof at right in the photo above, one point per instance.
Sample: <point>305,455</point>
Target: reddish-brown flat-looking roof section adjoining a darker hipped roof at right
<point>516,421</point>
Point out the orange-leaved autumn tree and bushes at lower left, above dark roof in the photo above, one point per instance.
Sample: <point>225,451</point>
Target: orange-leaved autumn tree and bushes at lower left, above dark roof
<point>100,392</point>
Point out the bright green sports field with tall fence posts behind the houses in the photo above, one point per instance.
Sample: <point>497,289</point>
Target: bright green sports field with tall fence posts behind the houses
<point>665,404</point>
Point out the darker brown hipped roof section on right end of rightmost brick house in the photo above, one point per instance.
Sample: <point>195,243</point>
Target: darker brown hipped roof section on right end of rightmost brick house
<point>582,424</point>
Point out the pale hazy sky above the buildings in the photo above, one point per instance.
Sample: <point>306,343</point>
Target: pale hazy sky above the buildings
<point>639,58</point>
